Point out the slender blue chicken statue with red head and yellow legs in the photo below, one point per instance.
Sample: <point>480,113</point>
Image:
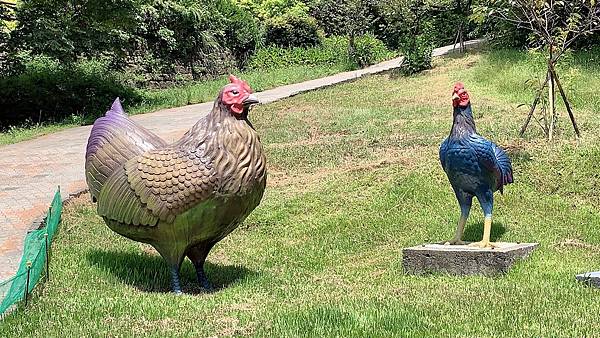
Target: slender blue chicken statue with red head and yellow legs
<point>475,167</point>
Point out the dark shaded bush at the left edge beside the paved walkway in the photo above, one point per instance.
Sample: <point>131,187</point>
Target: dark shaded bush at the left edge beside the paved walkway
<point>48,90</point>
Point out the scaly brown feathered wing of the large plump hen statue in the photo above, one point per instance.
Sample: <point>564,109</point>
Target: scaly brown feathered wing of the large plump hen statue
<point>157,185</point>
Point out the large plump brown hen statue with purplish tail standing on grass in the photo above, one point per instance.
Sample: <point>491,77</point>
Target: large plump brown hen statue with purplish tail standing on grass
<point>184,197</point>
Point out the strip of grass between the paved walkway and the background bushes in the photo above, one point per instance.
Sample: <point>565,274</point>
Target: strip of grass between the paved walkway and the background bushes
<point>196,92</point>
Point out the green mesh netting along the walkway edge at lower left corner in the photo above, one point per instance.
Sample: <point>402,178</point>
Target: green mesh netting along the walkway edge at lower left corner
<point>33,259</point>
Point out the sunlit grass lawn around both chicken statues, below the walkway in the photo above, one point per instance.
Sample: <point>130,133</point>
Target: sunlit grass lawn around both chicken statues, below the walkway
<point>354,178</point>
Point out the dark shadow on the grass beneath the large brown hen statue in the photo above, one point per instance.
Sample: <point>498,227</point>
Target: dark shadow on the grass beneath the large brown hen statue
<point>150,273</point>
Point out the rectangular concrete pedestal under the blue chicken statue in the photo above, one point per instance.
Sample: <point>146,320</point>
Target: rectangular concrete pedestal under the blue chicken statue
<point>463,259</point>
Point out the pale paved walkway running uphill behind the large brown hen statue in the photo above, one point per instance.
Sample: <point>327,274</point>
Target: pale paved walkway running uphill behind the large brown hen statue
<point>30,171</point>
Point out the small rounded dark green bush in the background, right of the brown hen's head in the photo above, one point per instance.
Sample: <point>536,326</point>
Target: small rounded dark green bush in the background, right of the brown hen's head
<point>292,30</point>
